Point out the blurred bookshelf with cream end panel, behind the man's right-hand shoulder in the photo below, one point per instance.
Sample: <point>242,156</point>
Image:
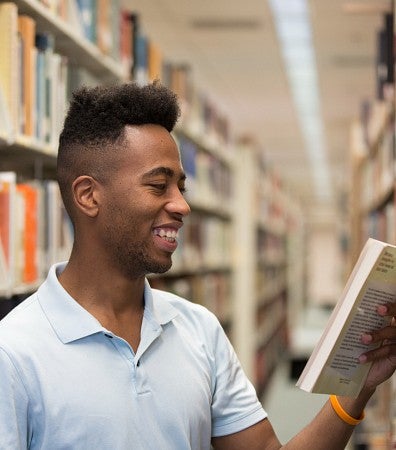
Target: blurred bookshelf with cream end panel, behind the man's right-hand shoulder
<point>264,217</point>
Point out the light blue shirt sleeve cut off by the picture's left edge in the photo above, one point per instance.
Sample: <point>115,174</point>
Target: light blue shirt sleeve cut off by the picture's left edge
<point>13,407</point>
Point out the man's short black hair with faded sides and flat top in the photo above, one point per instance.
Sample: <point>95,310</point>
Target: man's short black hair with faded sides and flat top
<point>94,128</point>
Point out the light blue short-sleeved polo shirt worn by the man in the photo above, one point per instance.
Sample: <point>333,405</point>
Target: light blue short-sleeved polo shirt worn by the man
<point>68,383</point>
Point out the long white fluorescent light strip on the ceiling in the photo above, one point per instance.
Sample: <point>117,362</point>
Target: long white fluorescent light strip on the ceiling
<point>293,28</point>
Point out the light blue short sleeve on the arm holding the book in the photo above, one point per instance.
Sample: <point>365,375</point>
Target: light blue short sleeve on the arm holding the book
<point>235,405</point>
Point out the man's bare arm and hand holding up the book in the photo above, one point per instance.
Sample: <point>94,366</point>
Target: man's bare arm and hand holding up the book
<point>327,431</point>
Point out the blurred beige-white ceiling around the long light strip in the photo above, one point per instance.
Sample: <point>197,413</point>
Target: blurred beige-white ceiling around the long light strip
<point>242,70</point>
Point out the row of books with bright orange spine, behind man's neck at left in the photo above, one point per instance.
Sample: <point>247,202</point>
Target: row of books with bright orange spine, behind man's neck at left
<point>35,232</point>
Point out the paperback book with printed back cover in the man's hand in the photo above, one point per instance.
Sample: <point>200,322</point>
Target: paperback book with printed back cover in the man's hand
<point>333,367</point>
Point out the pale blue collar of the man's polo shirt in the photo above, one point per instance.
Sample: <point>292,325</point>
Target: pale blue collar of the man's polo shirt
<point>71,321</point>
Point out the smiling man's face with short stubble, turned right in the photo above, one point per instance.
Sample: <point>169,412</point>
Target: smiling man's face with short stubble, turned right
<point>143,204</point>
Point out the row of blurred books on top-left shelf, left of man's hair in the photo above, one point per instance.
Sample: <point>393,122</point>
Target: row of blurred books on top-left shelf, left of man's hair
<point>33,81</point>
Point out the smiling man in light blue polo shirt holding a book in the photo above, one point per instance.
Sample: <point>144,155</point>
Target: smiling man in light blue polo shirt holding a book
<point>96,359</point>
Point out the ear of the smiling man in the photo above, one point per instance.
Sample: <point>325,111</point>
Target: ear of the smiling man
<point>85,195</point>
